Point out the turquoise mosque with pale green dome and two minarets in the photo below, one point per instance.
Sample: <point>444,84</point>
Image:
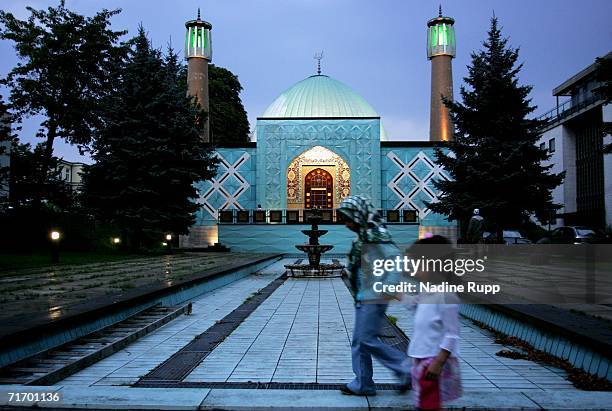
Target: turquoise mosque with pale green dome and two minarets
<point>316,143</point>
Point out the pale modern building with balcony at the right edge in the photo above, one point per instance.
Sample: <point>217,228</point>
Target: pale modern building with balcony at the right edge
<point>574,137</point>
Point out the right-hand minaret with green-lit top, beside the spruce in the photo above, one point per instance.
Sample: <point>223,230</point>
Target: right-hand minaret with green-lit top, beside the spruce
<point>441,51</point>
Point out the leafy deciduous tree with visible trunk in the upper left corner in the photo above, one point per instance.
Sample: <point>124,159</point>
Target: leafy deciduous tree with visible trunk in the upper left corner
<point>67,64</point>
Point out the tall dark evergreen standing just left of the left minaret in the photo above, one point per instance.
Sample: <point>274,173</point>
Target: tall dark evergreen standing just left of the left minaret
<point>148,153</point>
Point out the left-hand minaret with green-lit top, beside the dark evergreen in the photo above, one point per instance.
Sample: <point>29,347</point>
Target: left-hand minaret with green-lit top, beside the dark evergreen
<point>198,52</point>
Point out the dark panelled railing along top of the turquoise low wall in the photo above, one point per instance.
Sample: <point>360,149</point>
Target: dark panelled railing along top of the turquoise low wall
<point>301,216</point>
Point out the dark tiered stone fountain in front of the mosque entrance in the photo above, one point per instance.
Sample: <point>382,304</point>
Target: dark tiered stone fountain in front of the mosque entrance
<point>313,249</point>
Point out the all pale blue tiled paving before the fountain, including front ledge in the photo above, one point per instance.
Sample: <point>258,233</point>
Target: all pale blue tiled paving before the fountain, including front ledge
<point>301,333</point>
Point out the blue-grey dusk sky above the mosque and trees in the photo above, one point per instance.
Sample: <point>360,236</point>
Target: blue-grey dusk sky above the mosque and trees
<point>377,47</point>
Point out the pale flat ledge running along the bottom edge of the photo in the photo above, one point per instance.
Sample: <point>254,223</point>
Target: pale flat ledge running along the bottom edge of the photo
<point>124,398</point>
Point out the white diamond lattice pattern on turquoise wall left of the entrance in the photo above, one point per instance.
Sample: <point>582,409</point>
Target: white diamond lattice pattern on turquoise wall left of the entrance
<point>226,187</point>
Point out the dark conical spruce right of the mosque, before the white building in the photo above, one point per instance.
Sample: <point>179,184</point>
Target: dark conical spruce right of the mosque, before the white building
<point>494,161</point>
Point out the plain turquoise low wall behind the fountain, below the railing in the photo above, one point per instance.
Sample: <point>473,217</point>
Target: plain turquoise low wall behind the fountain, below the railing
<point>282,238</point>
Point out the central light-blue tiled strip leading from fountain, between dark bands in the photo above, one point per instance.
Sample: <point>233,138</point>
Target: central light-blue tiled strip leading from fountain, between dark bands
<point>301,333</point>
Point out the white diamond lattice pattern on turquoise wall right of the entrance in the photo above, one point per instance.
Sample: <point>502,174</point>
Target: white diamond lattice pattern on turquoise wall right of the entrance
<point>420,171</point>
